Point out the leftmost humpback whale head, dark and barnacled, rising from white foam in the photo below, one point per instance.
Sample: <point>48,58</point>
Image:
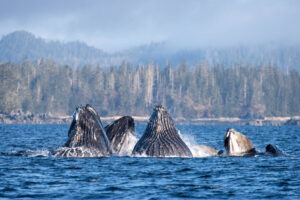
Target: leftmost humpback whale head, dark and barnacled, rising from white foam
<point>86,136</point>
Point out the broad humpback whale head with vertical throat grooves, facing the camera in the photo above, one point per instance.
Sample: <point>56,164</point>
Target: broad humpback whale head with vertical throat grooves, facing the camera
<point>161,138</point>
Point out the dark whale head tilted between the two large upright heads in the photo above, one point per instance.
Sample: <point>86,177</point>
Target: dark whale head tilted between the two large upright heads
<point>121,134</point>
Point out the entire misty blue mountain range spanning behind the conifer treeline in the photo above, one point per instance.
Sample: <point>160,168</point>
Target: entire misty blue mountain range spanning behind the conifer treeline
<point>20,45</point>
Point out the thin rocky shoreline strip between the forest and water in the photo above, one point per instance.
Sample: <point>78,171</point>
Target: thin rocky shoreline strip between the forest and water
<point>19,117</point>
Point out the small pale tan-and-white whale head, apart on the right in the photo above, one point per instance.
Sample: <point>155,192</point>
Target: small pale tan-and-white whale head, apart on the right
<point>237,144</point>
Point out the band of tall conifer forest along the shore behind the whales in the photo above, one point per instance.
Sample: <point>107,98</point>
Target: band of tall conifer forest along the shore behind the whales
<point>187,91</point>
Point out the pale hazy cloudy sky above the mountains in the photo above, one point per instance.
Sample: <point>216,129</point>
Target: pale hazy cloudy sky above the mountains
<point>119,24</point>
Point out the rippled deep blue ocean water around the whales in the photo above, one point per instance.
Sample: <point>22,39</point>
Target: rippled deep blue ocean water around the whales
<point>28,171</point>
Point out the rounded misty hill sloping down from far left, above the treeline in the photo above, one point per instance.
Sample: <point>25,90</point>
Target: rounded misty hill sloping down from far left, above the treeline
<point>20,45</point>
